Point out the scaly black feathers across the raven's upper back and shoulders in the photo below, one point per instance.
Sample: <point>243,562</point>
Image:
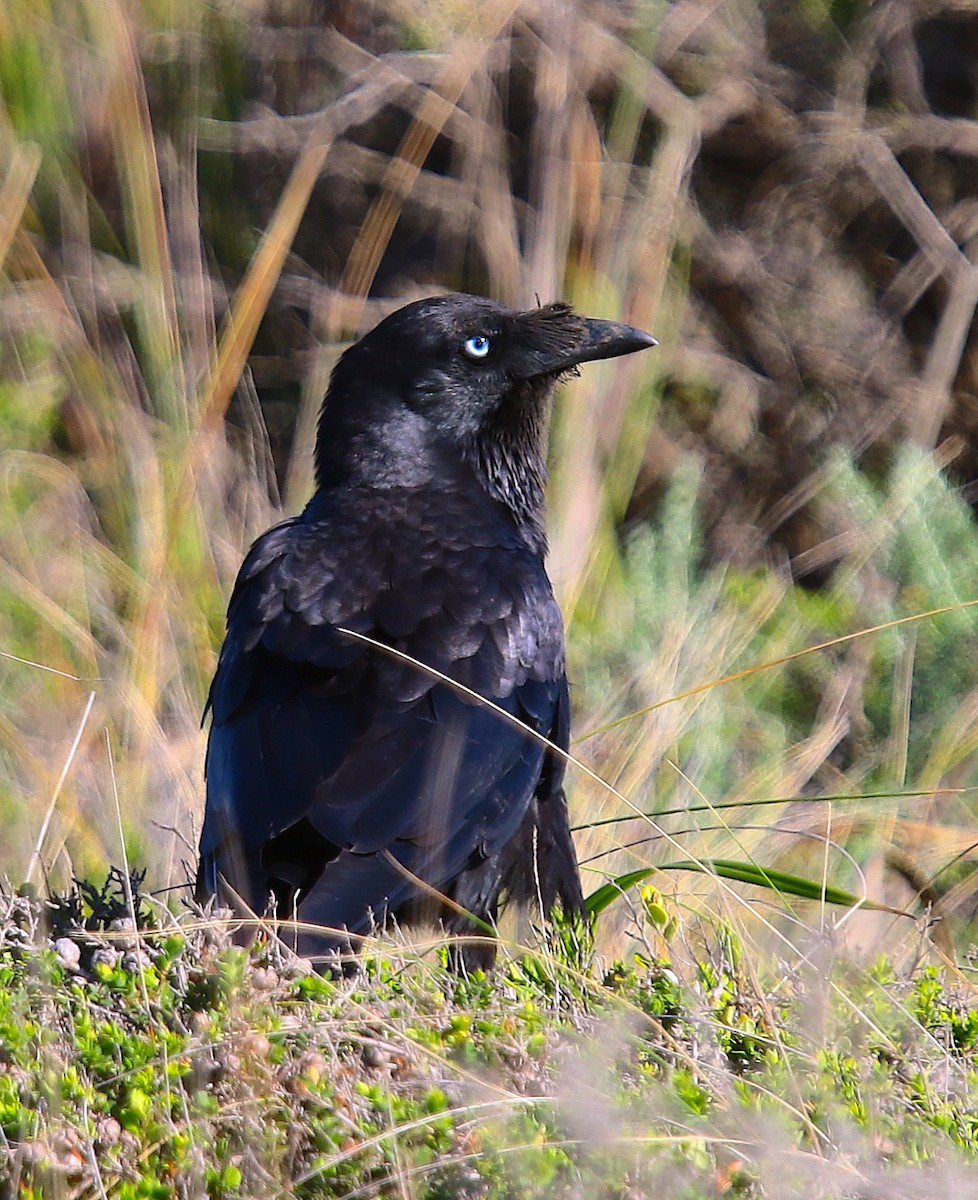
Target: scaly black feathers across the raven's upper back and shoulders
<point>461,598</point>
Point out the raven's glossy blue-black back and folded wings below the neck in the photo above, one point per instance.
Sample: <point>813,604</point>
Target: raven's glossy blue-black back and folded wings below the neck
<point>340,771</point>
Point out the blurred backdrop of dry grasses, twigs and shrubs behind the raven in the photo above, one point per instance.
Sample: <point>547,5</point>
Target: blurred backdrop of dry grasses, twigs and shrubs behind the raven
<point>202,205</point>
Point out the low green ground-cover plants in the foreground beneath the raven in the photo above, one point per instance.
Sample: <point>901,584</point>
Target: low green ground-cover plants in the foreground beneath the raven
<point>158,1059</point>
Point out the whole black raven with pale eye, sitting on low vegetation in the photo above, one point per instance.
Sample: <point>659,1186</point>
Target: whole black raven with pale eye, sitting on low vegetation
<point>346,784</point>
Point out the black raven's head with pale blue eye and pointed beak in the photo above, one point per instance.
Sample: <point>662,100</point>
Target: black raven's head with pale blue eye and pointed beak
<point>469,376</point>
